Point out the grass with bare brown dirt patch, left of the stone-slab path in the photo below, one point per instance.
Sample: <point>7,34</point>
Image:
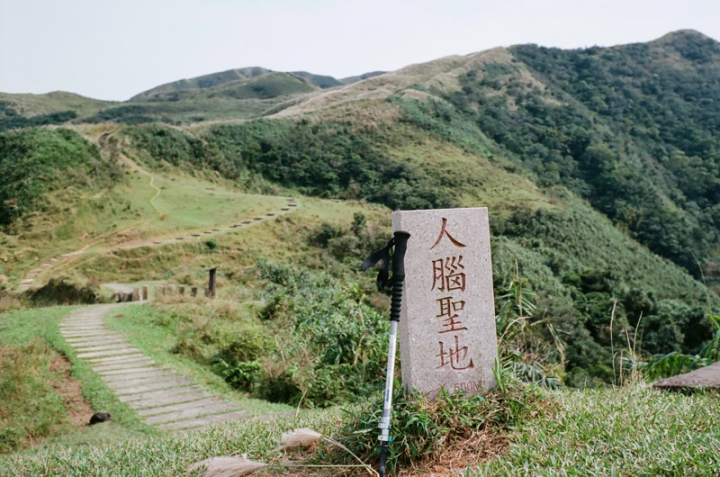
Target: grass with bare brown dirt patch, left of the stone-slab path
<point>30,340</point>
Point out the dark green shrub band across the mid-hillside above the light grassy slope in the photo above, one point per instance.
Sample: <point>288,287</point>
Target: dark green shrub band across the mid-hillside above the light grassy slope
<point>322,159</point>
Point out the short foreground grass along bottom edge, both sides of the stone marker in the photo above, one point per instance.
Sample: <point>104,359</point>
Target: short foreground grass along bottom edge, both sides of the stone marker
<point>616,431</point>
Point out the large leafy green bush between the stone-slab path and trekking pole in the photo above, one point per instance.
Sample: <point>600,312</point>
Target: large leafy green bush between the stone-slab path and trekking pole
<point>327,345</point>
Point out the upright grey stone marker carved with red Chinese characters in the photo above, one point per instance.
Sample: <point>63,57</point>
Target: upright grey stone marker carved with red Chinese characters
<point>447,326</point>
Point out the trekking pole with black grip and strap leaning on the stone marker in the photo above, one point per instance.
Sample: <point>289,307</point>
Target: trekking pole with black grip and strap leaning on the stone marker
<point>400,243</point>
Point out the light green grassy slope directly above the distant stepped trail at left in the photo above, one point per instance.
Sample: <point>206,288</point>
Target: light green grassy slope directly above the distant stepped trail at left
<point>125,215</point>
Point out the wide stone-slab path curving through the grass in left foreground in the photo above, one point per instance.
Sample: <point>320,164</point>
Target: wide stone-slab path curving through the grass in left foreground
<point>161,397</point>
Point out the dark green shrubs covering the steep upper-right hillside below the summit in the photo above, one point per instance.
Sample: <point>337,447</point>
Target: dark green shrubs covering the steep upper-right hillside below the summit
<point>632,129</point>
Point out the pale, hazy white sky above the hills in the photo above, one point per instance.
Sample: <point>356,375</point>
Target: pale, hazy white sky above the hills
<point>114,49</point>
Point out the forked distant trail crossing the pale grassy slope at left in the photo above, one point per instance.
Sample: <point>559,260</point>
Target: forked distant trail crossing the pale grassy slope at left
<point>159,239</point>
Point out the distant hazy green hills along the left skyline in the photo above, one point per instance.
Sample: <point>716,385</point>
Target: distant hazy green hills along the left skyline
<point>241,93</point>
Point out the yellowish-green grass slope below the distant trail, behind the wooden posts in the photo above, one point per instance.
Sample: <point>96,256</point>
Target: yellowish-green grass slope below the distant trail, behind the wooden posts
<point>237,249</point>
